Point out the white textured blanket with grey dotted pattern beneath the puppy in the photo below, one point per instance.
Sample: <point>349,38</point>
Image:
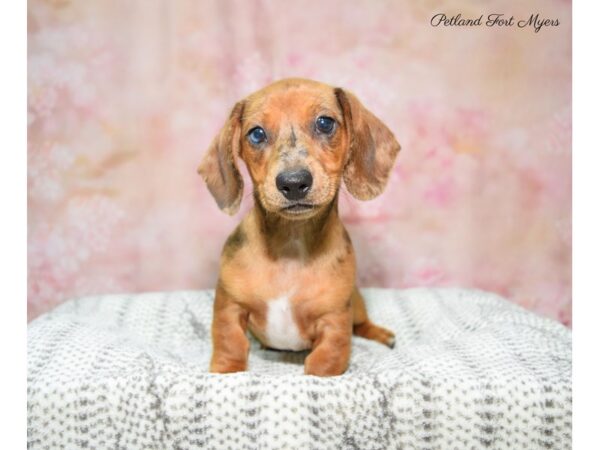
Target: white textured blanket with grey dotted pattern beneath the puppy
<point>469,371</point>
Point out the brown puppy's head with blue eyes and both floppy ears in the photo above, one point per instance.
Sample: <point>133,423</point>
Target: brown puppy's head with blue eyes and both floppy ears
<point>299,138</point>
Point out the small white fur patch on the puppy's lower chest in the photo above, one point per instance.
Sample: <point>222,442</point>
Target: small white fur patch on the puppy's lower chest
<point>282,332</point>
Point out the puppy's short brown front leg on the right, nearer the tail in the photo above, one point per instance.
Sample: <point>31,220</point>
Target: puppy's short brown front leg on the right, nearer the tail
<point>331,350</point>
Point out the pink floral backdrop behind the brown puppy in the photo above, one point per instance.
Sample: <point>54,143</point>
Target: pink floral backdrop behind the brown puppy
<point>125,96</point>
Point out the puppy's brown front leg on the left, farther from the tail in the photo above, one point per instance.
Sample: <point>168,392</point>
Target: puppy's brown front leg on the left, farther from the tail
<point>230,343</point>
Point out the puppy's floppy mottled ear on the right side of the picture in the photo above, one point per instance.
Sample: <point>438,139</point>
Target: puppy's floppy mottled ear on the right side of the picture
<point>373,148</point>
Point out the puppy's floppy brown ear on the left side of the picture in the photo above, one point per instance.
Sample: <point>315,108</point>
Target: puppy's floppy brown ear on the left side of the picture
<point>219,166</point>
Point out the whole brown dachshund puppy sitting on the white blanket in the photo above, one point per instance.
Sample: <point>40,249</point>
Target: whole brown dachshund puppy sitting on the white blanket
<point>288,270</point>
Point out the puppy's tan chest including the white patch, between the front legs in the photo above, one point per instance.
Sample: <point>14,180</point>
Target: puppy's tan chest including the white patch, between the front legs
<point>286,296</point>
